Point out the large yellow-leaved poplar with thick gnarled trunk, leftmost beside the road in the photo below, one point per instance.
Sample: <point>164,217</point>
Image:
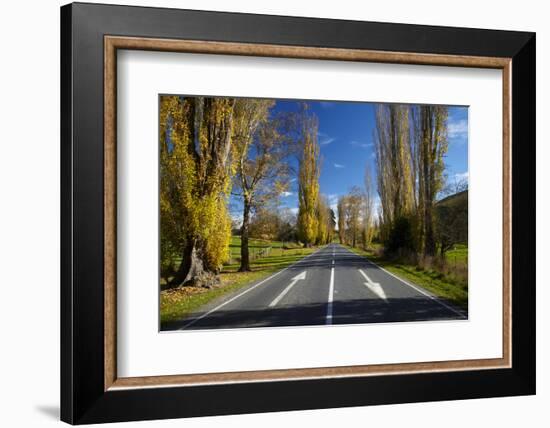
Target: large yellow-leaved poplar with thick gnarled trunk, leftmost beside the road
<point>195,182</point>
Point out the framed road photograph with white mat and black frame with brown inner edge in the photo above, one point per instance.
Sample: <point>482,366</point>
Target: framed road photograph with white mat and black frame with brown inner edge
<point>266,213</point>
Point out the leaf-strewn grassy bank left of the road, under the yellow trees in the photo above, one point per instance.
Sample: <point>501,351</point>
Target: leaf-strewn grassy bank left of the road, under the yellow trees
<point>176,304</point>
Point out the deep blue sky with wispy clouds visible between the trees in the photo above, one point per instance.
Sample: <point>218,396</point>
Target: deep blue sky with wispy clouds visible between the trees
<point>346,142</point>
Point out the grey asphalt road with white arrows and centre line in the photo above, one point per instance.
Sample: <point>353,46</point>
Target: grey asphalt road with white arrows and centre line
<point>331,286</point>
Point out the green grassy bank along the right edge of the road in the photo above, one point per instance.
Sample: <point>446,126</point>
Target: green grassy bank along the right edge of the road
<point>439,284</point>
